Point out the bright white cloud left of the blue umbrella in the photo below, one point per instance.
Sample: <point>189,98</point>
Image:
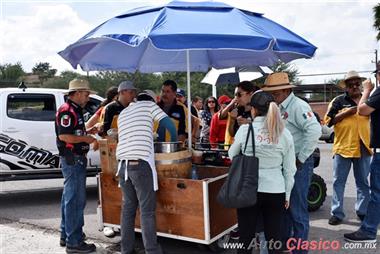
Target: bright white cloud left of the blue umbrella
<point>38,36</point>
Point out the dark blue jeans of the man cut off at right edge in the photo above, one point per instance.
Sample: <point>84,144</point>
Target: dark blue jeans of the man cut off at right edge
<point>372,218</point>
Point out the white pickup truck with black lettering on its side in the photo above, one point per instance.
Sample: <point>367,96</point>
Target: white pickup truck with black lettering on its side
<point>27,137</point>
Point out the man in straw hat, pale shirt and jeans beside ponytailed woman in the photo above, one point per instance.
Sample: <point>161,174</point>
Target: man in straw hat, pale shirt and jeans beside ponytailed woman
<point>305,129</point>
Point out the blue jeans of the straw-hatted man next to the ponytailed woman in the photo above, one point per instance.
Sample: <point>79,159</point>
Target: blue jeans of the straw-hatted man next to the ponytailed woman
<point>297,216</point>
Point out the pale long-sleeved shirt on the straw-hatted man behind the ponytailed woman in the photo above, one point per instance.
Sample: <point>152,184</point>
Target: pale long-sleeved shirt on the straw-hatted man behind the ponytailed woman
<point>302,124</point>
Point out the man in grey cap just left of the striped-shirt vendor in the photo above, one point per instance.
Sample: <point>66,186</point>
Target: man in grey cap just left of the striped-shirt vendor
<point>127,93</point>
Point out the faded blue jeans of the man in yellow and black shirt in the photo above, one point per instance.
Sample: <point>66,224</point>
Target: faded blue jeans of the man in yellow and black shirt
<point>341,170</point>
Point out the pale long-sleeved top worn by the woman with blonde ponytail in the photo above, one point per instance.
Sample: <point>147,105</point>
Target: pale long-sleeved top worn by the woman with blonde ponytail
<point>277,162</point>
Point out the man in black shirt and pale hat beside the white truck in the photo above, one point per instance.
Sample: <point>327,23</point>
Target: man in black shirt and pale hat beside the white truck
<point>73,144</point>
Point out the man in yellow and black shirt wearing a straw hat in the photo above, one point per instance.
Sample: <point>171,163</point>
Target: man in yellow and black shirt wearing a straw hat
<point>351,146</point>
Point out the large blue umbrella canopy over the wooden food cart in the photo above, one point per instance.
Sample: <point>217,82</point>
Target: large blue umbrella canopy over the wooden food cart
<point>155,39</point>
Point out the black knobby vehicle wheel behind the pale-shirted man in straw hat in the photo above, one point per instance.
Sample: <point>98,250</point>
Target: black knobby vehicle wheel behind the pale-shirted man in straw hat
<point>317,193</point>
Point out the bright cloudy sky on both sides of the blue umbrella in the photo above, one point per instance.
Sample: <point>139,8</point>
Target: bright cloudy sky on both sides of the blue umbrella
<point>34,31</point>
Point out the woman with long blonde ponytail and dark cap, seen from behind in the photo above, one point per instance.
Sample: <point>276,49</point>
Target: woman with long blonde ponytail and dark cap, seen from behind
<point>277,166</point>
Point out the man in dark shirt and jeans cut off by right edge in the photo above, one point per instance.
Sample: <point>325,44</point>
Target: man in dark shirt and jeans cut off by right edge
<point>370,106</point>
